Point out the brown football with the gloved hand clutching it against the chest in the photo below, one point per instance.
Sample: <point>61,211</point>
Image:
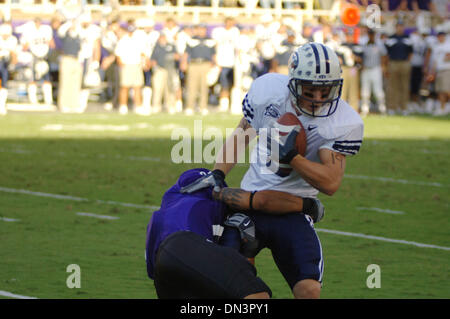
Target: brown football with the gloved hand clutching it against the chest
<point>290,141</point>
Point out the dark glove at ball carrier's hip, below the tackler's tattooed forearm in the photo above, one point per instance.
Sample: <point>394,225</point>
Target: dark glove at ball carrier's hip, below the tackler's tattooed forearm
<point>246,228</point>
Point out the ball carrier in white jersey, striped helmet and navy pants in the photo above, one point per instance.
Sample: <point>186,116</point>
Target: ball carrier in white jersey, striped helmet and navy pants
<point>333,130</point>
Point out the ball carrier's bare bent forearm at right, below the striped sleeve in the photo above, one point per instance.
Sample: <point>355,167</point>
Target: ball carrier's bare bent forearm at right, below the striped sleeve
<point>320,176</point>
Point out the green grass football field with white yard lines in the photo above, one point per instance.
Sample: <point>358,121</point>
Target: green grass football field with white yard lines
<point>396,188</point>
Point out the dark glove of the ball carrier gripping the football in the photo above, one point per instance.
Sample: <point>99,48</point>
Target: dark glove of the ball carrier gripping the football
<point>285,145</point>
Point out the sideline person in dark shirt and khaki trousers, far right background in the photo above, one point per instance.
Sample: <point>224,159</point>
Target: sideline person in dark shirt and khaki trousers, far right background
<point>399,68</point>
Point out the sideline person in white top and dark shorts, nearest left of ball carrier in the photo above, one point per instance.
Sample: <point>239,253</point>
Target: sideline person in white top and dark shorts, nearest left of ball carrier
<point>227,46</point>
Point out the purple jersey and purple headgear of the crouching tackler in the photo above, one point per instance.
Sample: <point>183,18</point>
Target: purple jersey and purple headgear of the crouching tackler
<point>196,212</point>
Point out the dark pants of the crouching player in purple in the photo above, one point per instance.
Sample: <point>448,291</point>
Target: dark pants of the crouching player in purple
<point>188,266</point>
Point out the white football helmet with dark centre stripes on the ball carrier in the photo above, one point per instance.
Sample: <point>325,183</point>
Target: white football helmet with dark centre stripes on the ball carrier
<point>315,65</point>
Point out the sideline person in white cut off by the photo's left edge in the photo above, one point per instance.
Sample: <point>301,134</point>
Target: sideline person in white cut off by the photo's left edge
<point>8,46</point>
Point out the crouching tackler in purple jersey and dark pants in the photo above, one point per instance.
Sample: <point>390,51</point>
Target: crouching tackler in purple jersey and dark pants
<point>182,257</point>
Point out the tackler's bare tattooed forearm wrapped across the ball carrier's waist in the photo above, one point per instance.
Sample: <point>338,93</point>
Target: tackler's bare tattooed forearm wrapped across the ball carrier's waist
<point>266,201</point>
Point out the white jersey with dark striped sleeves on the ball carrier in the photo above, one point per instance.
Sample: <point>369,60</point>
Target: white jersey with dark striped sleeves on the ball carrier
<point>268,99</point>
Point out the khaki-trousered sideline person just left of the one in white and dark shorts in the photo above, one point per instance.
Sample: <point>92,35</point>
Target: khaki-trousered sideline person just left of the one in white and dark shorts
<point>199,58</point>
